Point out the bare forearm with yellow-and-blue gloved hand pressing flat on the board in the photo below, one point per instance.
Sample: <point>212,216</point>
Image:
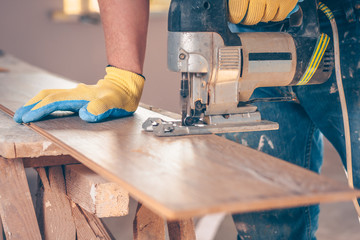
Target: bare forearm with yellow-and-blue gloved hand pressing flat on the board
<point>118,93</point>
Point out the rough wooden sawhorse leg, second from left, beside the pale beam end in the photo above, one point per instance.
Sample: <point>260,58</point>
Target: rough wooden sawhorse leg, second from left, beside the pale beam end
<point>55,211</point>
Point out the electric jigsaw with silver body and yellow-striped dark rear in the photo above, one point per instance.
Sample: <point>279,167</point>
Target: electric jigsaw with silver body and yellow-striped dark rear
<point>220,69</point>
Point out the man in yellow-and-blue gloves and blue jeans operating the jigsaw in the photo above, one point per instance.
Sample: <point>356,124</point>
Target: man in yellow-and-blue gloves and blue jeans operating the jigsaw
<point>316,110</point>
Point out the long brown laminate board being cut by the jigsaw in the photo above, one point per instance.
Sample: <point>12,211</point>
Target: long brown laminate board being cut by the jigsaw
<point>178,177</point>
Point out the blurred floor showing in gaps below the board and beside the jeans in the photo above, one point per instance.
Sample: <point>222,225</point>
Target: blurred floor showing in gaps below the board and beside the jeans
<point>338,221</point>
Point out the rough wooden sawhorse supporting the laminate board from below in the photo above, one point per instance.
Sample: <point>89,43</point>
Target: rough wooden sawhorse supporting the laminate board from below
<point>57,214</point>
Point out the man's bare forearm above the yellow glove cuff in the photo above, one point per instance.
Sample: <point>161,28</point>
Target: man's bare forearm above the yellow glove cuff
<point>125,24</point>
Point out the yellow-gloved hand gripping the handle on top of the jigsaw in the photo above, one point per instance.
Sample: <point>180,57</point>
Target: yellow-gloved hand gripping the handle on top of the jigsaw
<point>251,12</point>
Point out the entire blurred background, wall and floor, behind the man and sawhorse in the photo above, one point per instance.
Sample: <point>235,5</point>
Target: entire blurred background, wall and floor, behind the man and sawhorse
<point>65,37</point>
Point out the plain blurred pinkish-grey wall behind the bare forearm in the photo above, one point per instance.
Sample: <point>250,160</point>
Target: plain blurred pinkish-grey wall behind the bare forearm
<point>76,50</point>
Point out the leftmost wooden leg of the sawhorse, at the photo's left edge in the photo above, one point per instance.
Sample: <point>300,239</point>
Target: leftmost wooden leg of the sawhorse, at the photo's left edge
<point>16,207</point>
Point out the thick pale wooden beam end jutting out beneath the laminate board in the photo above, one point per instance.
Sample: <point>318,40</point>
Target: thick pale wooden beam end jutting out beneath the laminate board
<point>95,194</point>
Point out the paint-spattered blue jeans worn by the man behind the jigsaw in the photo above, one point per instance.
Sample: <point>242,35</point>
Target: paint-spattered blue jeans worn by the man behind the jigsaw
<point>303,123</point>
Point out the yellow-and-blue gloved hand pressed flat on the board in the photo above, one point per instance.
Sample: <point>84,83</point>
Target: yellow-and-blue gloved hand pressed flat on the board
<point>117,95</point>
